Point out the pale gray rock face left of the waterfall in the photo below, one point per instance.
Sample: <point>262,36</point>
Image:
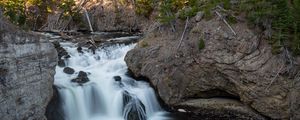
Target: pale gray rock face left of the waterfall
<point>27,64</point>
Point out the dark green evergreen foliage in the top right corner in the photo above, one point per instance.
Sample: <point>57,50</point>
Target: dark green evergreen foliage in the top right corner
<point>282,15</point>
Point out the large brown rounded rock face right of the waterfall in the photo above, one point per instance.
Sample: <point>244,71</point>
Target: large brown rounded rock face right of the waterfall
<point>240,67</point>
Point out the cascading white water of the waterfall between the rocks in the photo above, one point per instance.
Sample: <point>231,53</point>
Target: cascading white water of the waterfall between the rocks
<point>105,96</point>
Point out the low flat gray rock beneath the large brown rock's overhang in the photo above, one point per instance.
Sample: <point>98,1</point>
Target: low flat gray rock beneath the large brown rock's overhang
<point>214,108</point>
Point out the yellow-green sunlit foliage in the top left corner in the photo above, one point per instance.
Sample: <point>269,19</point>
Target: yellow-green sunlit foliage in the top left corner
<point>25,13</point>
